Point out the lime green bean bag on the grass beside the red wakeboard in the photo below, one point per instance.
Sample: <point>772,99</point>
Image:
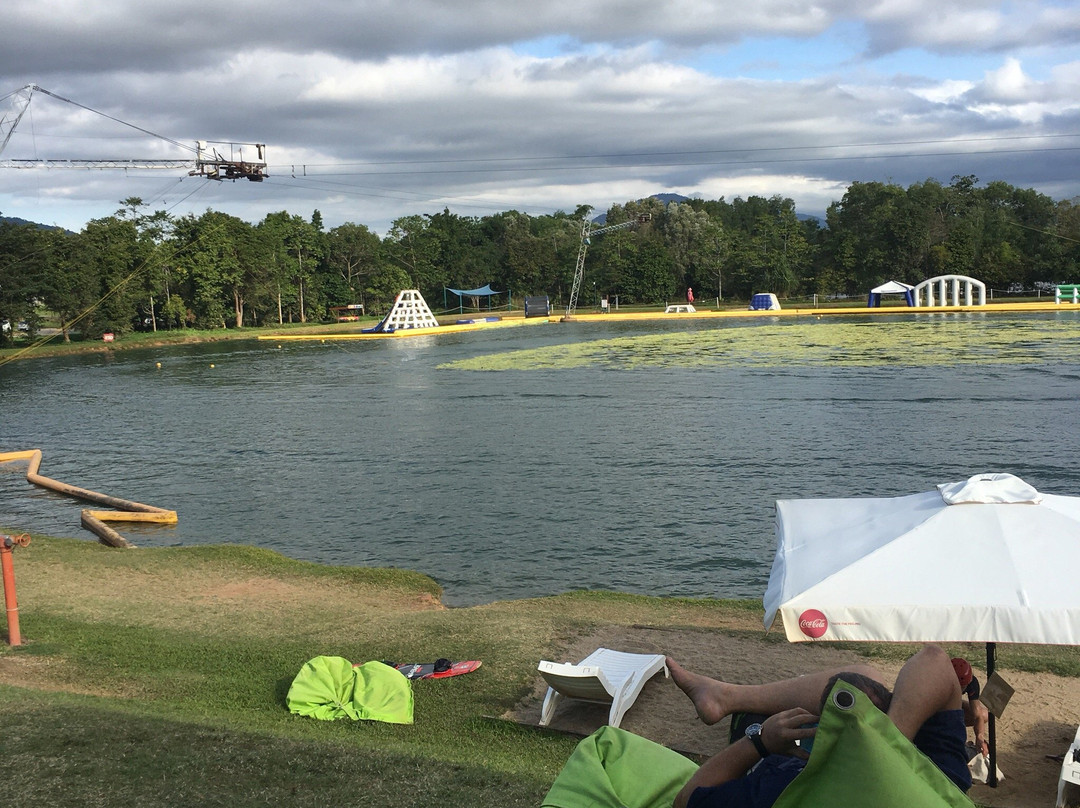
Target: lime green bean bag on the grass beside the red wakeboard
<point>331,688</point>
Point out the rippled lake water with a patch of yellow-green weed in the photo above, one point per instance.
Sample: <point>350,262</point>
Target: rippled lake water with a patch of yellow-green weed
<point>523,462</point>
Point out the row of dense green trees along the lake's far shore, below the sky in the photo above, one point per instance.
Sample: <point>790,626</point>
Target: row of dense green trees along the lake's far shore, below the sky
<point>139,270</point>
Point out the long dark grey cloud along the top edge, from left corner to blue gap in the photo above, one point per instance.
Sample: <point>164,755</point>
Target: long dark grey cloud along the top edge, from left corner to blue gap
<point>40,36</point>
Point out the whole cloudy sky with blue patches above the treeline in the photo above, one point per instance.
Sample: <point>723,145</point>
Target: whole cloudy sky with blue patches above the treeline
<point>374,110</point>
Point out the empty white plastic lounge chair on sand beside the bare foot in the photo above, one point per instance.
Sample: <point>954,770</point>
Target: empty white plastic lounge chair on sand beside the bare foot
<point>605,677</point>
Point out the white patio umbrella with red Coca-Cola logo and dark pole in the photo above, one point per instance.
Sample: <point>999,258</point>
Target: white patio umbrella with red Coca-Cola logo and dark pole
<point>988,560</point>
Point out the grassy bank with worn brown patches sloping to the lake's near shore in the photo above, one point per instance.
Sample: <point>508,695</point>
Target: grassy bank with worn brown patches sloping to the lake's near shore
<point>158,678</point>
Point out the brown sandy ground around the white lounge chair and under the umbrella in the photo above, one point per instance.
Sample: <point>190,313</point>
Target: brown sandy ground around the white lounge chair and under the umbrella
<point>1038,724</point>
